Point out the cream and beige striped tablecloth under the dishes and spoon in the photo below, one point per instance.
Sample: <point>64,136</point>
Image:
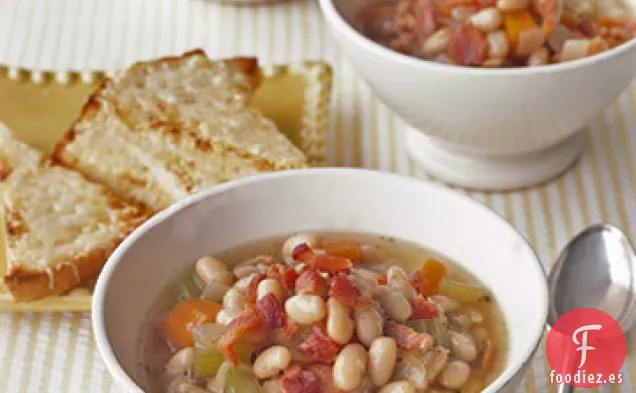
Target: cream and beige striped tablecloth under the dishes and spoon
<point>56,353</point>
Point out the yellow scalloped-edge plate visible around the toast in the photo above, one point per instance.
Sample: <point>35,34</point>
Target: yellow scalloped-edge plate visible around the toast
<point>40,107</point>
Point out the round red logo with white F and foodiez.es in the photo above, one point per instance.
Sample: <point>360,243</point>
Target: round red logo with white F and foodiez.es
<point>586,348</point>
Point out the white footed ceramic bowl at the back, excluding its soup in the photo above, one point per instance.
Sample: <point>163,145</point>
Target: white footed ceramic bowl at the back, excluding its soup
<point>485,127</point>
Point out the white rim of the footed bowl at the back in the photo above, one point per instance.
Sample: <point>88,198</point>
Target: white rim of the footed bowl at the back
<point>333,16</point>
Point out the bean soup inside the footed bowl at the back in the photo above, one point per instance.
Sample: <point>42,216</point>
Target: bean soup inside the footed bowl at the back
<point>498,33</point>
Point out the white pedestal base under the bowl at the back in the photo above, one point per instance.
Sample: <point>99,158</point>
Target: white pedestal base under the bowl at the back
<point>491,172</point>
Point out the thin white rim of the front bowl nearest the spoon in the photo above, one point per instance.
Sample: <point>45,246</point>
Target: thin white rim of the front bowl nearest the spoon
<point>97,314</point>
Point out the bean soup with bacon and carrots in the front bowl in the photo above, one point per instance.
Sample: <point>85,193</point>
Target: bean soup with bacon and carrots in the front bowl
<point>323,313</point>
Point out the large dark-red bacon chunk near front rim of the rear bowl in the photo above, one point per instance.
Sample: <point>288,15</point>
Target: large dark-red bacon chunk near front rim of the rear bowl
<point>467,46</point>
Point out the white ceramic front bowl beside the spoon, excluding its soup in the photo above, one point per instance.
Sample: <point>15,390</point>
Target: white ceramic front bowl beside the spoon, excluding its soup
<point>311,200</point>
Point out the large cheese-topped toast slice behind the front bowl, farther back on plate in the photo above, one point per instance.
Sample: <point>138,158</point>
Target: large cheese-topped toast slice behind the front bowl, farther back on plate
<point>168,128</point>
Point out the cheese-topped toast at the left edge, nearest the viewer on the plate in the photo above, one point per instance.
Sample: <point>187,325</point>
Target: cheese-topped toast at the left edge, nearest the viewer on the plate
<point>59,227</point>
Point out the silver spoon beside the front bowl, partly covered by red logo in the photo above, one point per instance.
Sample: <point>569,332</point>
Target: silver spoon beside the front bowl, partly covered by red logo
<point>597,269</point>
